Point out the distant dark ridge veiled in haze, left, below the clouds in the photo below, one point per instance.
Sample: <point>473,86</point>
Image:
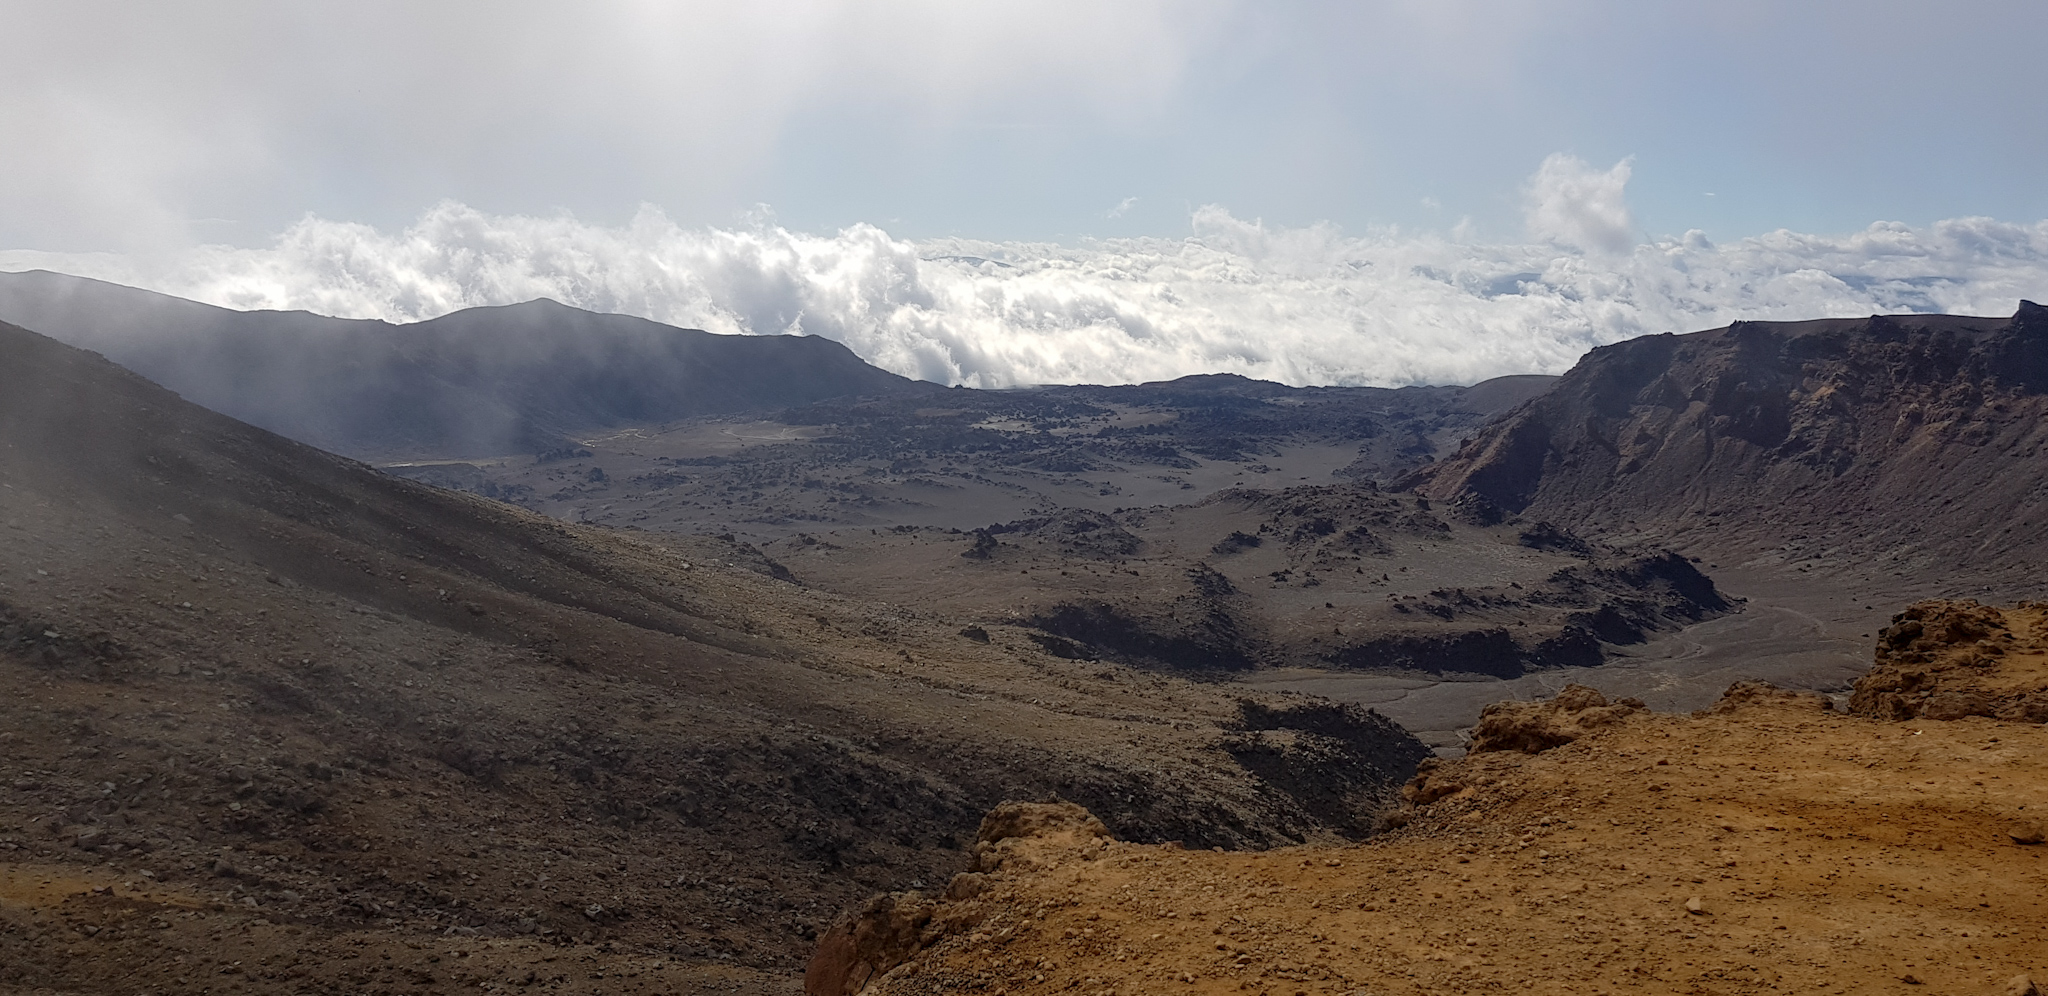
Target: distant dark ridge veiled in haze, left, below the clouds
<point>470,384</point>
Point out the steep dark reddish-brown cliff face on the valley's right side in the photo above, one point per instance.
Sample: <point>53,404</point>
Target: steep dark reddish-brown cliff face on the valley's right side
<point>1914,438</point>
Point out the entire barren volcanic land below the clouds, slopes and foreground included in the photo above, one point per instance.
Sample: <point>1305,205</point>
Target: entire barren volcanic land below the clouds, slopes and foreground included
<point>585,694</point>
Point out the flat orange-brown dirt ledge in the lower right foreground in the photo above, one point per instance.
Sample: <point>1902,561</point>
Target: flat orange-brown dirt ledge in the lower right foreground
<point>1764,845</point>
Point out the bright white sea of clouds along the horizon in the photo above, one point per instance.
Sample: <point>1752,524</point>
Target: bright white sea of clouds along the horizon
<point>1289,304</point>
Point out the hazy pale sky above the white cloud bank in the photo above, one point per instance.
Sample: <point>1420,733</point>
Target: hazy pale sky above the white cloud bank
<point>157,124</point>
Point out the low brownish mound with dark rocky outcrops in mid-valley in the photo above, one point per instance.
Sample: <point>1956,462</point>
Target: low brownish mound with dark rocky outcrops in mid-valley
<point>1314,577</point>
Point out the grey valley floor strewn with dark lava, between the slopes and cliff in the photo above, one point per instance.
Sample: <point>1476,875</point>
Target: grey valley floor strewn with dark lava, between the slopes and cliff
<point>1213,526</point>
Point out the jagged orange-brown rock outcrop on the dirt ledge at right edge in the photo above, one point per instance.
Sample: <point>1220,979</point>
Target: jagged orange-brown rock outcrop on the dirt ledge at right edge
<point>1955,659</point>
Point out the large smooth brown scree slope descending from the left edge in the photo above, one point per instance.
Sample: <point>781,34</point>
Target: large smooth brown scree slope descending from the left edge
<point>278,710</point>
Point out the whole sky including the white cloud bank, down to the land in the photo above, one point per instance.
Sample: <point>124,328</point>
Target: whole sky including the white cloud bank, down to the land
<point>1318,194</point>
